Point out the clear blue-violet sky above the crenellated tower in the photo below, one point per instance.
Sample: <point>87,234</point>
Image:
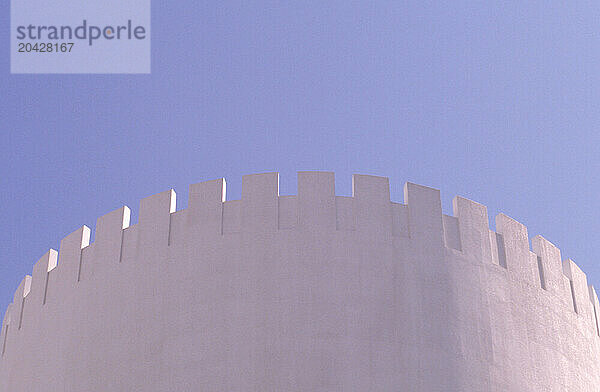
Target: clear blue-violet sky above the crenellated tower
<point>497,102</point>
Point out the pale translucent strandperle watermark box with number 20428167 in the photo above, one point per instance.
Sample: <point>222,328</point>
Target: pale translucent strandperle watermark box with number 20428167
<point>97,36</point>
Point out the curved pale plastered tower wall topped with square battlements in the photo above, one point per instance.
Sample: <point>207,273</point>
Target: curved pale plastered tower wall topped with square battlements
<point>313,292</point>
